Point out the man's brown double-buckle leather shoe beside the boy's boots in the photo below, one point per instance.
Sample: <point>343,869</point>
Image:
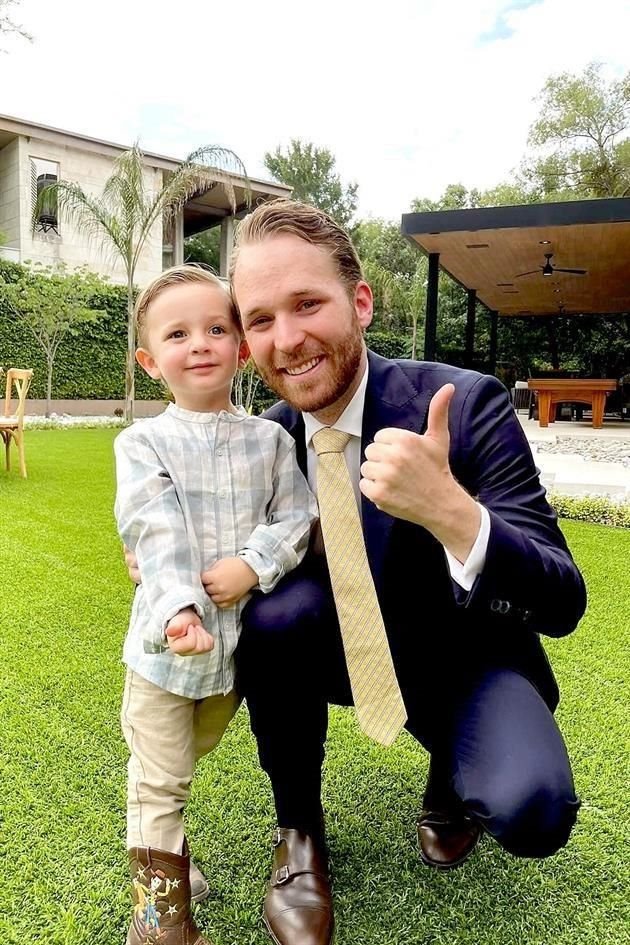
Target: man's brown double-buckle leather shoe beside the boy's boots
<point>298,905</point>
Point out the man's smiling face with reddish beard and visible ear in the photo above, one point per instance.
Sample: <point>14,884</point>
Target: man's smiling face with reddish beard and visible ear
<point>304,332</point>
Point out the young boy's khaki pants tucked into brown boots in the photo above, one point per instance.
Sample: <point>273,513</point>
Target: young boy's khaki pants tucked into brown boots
<point>166,735</point>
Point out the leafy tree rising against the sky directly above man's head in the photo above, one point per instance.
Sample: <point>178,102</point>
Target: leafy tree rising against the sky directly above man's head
<point>310,171</point>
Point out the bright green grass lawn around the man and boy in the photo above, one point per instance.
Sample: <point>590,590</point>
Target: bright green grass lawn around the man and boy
<point>64,602</point>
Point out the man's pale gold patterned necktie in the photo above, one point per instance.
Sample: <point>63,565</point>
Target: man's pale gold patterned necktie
<point>377,698</point>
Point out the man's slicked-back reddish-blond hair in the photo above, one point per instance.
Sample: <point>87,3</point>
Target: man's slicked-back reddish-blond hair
<point>308,224</point>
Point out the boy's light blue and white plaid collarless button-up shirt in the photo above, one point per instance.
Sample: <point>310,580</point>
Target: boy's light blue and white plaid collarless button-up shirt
<point>193,488</point>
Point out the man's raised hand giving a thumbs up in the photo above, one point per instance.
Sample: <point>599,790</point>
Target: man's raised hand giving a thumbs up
<point>408,476</point>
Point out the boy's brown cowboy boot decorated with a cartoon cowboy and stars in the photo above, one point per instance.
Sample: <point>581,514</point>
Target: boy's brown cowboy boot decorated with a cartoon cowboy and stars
<point>162,899</point>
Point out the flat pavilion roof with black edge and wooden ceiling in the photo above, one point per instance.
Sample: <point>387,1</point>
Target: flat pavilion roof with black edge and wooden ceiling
<point>486,249</point>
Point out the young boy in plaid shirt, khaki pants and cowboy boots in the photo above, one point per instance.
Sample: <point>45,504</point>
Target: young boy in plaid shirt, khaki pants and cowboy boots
<point>202,484</point>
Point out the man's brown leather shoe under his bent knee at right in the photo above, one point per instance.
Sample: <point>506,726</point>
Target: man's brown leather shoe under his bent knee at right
<point>446,839</point>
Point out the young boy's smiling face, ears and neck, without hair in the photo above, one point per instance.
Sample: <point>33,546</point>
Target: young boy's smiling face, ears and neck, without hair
<point>193,345</point>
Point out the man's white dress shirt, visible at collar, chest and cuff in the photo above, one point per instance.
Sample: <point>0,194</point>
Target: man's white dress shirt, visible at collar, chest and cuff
<point>351,422</point>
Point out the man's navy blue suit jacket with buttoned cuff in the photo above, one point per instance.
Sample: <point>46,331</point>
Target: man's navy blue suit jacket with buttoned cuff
<point>529,584</point>
